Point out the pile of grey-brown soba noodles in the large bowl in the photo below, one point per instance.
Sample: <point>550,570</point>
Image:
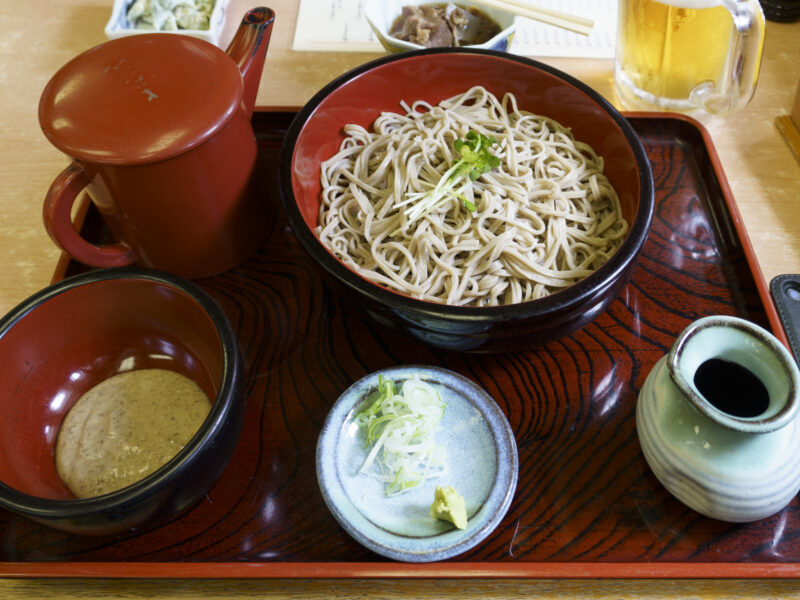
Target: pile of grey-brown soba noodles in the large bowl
<point>546,217</point>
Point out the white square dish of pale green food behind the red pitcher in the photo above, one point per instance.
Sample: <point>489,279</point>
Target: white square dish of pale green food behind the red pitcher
<point>204,19</point>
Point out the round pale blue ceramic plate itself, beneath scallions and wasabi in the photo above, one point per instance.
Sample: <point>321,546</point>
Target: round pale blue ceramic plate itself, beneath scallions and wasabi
<point>482,467</point>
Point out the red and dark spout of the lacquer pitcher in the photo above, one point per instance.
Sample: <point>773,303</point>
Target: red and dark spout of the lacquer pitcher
<point>248,49</point>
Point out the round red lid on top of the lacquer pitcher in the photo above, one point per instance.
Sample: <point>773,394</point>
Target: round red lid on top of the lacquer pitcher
<point>140,99</point>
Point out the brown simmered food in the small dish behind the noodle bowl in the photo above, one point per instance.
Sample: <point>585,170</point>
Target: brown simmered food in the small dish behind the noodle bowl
<point>444,25</point>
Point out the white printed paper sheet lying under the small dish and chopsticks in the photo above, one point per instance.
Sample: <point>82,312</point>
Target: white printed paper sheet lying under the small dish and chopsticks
<point>339,25</point>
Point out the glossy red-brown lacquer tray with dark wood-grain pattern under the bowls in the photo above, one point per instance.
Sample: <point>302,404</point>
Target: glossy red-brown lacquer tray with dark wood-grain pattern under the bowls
<point>586,505</point>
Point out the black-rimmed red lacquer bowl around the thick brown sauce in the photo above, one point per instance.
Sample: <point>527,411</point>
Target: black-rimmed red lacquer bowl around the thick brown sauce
<point>69,337</point>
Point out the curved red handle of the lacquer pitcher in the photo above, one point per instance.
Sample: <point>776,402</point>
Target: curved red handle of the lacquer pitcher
<point>57,215</point>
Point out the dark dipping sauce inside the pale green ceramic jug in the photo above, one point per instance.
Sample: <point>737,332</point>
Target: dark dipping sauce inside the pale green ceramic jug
<point>731,388</point>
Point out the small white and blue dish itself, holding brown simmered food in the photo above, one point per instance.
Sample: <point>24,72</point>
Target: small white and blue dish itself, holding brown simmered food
<point>381,15</point>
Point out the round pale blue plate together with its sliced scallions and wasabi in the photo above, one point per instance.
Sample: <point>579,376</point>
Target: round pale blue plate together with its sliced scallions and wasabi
<point>417,463</point>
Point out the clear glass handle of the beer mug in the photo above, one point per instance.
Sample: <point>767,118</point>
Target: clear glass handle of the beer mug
<point>744,60</point>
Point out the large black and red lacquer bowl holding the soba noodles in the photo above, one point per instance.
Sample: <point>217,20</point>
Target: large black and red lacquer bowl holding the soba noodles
<point>433,75</point>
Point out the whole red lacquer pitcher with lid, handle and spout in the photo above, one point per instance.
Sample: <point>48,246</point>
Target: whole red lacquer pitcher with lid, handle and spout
<point>158,129</point>
